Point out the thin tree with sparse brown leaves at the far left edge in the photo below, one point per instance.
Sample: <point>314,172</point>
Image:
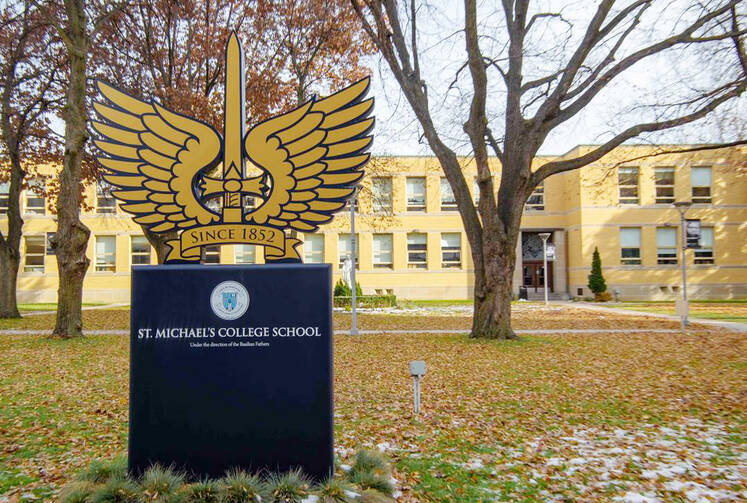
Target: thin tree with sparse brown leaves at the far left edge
<point>29,66</point>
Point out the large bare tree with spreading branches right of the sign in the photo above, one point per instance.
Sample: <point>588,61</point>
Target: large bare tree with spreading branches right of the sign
<point>614,39</point>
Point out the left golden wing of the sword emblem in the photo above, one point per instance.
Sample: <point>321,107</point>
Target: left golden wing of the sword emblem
<point>152,156</point>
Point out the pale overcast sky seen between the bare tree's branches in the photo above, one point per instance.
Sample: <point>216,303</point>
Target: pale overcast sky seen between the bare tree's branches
<point>663,79</point>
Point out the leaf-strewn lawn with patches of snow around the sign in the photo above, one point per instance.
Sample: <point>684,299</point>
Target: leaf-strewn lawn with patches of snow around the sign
<point>580,417</point>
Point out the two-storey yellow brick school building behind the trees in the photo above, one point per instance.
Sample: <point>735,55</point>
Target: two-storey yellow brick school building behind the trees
<point>411,241</point>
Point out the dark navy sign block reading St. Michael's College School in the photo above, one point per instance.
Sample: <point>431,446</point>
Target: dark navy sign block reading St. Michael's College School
<point>231,366</point>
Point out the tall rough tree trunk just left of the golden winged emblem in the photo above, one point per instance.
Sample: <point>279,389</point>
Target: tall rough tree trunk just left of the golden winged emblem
<point>71,239</point>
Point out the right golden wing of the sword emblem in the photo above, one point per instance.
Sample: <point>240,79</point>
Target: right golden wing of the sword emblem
<point>313,155</point>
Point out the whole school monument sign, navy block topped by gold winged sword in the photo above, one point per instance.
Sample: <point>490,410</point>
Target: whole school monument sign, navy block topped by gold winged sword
<point>231,366</point>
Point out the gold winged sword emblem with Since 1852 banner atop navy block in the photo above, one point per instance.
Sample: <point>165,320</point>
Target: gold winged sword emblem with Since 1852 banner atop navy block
<point>160,164</point>
